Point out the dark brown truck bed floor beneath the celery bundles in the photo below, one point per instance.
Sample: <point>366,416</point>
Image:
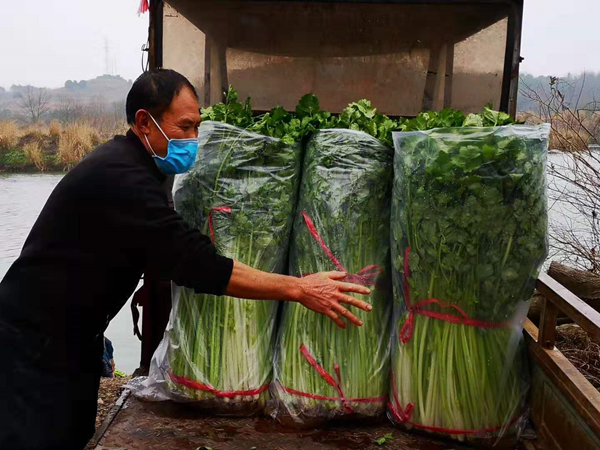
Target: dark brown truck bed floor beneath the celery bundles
<point>134,424</point>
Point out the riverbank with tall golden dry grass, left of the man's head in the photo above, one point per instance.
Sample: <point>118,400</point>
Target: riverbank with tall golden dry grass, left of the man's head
<point>52,147</point>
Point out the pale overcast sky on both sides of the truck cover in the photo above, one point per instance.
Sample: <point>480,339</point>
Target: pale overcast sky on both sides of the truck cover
<point>46,42</point>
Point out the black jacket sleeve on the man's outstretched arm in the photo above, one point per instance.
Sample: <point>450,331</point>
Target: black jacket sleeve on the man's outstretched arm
<point>160,238</point>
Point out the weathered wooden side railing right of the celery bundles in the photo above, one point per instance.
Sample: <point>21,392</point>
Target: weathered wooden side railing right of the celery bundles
<point>578,392</point>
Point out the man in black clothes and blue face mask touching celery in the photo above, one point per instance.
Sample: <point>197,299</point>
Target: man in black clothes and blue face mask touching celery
<point>106,223</point>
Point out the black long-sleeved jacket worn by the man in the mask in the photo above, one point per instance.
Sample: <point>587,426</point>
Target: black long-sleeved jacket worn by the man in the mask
<point>105,224</point>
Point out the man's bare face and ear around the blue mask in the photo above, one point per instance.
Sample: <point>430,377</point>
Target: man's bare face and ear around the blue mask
<point>180,121</point>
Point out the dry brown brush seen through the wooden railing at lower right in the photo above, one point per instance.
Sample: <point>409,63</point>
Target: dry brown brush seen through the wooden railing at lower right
<point>581,351</point>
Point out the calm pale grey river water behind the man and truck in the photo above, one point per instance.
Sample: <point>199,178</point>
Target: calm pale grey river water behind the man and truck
<point>22,197</point>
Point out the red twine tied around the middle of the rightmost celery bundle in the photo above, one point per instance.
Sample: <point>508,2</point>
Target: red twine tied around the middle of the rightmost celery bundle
<point>463,318</point>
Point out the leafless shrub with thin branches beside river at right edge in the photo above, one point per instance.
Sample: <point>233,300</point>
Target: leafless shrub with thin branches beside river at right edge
<point>574,175</point>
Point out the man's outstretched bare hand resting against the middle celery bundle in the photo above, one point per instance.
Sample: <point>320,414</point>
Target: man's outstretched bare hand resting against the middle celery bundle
<point>324,293</point>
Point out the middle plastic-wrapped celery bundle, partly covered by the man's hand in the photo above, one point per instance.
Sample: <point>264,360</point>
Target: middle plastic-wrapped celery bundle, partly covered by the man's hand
<point>323,372</point>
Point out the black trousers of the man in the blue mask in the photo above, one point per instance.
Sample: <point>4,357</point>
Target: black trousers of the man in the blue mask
<point>46,409</point>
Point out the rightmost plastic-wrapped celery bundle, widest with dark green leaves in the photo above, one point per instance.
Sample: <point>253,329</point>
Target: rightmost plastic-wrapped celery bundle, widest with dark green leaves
<point>469,222</point>
